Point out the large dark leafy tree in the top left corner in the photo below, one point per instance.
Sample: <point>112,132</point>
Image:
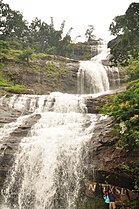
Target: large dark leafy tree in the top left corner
<point>13,28</point>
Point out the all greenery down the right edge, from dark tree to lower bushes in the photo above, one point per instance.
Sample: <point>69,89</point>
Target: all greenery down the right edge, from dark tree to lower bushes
<point>124,107</point>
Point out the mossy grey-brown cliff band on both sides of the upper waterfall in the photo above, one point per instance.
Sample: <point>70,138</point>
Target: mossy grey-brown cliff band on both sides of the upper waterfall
<point>50,73</point>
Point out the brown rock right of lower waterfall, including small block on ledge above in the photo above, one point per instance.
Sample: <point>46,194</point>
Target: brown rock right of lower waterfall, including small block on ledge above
<point>107,160</point>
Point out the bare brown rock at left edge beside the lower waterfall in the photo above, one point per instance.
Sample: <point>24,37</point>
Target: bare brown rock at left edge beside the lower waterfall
<point>9,144</point>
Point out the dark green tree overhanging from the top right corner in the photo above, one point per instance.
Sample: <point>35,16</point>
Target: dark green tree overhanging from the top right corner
<point>126,44</point>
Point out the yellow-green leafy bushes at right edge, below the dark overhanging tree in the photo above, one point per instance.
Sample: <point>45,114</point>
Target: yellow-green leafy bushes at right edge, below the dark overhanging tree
<point>124,107</point>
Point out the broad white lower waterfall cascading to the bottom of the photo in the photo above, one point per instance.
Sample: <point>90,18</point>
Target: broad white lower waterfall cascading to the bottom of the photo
<point>49,164</point>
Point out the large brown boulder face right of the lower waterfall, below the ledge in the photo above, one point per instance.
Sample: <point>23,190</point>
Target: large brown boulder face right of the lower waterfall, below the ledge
<point>106,160</point>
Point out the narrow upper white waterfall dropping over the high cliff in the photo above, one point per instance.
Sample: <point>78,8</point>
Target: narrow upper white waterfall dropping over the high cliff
<point>93,76</point>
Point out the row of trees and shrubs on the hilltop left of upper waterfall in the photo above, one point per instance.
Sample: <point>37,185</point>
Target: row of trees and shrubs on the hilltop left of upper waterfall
<point>16,33</point>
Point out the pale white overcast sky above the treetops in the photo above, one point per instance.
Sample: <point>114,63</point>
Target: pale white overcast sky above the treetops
<point>78,14</point>
